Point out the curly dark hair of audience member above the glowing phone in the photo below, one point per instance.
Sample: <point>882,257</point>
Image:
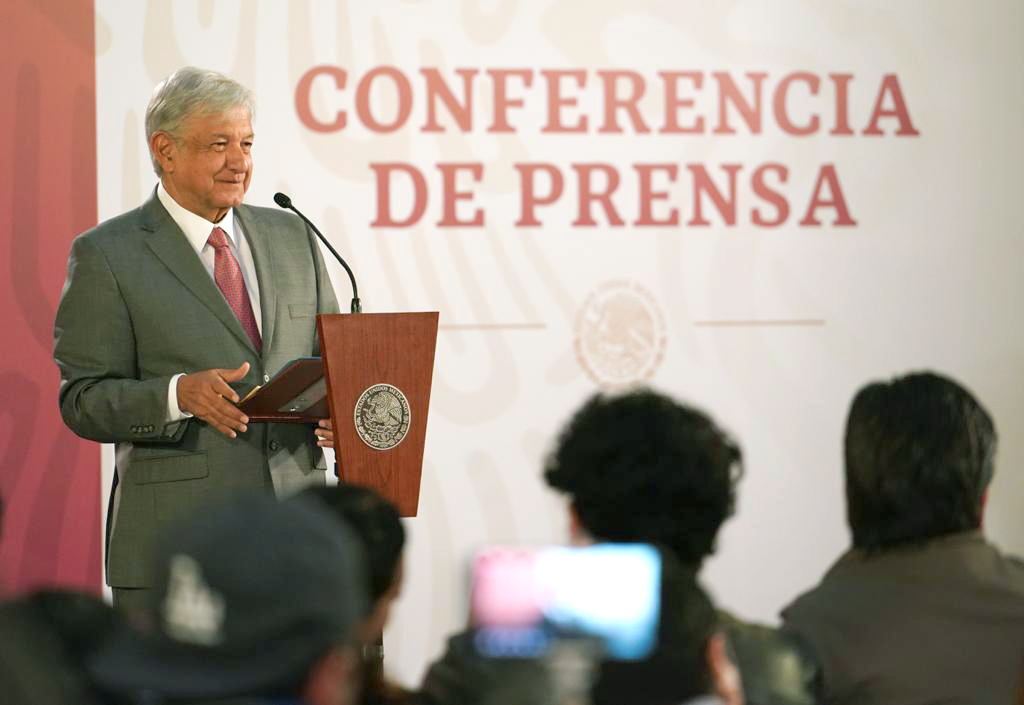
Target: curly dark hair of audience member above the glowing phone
<point>642,468</point>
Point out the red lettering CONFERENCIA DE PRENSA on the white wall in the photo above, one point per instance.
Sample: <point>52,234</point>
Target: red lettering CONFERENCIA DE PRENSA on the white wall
<point>609,103</point>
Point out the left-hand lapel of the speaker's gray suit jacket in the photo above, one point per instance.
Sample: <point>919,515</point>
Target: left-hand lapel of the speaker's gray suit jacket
<point>170,245</point>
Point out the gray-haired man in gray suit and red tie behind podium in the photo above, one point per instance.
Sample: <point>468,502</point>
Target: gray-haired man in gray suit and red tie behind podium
<point>173,311</point>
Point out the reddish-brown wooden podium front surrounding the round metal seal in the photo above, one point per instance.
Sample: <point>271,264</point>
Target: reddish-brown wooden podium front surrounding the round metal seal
<point>361,351</point>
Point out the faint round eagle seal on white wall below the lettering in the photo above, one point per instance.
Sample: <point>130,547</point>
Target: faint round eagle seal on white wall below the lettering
<point>620,335</point>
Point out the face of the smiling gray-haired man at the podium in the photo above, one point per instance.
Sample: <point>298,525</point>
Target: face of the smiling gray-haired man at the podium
<point>207,170</point>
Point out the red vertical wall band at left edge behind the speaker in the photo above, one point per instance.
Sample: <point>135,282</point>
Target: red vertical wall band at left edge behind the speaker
<point>50,479</point>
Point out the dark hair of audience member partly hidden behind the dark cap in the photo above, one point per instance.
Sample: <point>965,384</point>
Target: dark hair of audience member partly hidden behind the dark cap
<point>376,523</point>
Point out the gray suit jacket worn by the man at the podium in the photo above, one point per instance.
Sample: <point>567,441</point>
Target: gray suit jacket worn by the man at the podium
<point>139,308</point>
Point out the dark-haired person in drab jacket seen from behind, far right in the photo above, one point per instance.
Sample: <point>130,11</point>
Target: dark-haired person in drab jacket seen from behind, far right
<point>923,609</point>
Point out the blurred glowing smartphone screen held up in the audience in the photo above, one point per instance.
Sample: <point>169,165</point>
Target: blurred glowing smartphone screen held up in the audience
<point>525,599</point>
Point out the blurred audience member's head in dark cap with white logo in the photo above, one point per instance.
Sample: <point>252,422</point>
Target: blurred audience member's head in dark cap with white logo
<point>252,598</point>
